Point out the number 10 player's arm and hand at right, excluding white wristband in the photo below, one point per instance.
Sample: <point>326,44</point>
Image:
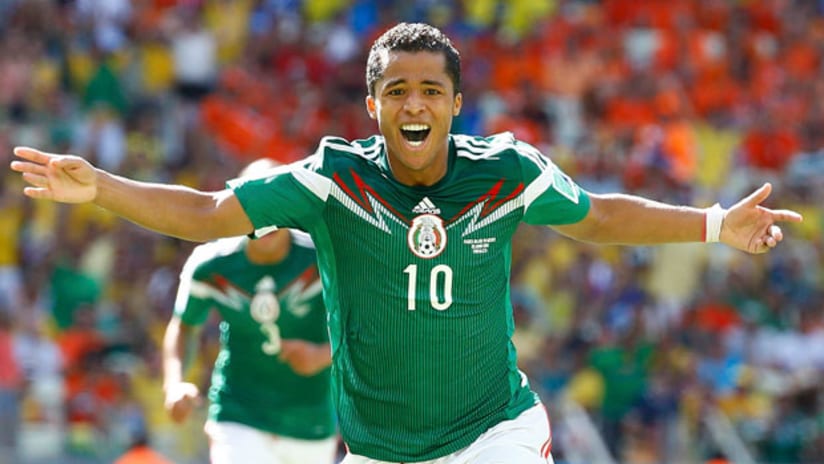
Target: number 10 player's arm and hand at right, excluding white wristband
<point>633,220</point>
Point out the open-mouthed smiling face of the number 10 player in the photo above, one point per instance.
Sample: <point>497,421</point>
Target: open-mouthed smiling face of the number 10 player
<point>414,104</point>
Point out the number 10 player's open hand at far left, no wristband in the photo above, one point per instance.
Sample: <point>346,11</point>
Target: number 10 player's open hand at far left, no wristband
<point>63,178</point>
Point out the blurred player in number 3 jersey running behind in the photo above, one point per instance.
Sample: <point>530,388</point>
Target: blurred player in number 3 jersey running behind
<point>270,398</point>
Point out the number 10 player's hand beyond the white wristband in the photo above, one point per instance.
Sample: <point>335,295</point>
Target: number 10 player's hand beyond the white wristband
<point>751,227</point>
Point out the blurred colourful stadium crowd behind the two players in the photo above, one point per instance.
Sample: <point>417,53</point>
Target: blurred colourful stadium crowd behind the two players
<point>681,353</point>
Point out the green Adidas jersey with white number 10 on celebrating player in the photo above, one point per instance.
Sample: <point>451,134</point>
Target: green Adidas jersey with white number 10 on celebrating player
<point>416,282</point>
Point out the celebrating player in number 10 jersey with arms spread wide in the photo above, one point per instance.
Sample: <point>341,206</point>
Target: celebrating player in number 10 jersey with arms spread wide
<point>413,229</point>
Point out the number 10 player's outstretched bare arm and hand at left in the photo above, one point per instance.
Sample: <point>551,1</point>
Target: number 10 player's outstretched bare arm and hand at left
<point>172,210</point>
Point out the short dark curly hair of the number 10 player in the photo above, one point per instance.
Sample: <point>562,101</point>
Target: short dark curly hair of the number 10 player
<point>412,37</point>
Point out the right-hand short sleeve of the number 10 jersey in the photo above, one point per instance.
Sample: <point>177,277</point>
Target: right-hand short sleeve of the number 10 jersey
<point>551,197</point>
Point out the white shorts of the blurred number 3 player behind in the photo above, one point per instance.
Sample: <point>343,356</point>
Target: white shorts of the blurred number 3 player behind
<point>232,443</point>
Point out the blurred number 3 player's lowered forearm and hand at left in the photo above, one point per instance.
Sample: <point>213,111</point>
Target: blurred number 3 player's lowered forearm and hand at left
<point>179,345</point>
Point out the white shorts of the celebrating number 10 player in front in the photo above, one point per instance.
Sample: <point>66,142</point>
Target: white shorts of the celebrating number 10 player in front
<point>523,440</point>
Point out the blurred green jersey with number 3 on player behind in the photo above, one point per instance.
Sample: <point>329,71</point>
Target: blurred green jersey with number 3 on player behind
<point>260,305</point>
